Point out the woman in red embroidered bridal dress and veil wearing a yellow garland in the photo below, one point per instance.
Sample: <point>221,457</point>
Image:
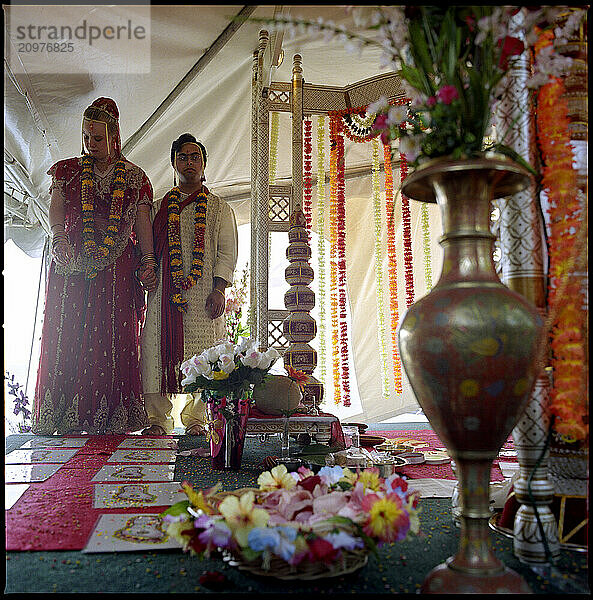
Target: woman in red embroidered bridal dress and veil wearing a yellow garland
<point>103,260</point>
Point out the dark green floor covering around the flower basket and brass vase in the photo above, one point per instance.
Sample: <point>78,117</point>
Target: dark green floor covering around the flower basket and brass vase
<point>399,568</point>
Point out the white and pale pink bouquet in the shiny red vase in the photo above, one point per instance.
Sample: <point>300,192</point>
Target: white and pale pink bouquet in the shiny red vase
<point>227,369</point>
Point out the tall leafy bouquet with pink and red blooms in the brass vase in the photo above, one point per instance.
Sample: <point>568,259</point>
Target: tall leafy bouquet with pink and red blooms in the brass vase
<point>453,61</point>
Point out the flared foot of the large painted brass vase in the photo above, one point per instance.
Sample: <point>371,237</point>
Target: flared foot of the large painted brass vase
<point>444,580</point>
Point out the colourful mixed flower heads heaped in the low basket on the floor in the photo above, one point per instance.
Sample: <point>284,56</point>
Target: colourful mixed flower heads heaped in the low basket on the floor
<point>297,521</point>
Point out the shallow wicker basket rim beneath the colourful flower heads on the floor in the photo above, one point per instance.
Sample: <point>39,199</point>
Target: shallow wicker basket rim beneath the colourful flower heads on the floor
<point>349,562</point>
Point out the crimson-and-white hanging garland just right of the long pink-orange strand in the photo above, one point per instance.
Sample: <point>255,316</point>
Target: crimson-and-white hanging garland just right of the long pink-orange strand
<point>341,256</point>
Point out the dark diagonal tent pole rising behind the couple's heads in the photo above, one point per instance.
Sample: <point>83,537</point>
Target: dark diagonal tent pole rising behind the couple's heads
<point>204,60</point>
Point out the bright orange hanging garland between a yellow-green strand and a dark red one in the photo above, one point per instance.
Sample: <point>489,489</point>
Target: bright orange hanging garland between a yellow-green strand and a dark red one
<point>392,261</point>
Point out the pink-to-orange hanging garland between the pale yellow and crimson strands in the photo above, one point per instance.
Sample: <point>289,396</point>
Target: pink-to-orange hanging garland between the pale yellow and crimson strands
<point>333,228</point>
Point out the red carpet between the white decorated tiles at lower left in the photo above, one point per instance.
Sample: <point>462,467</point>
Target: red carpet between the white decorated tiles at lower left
<point>58,513</point>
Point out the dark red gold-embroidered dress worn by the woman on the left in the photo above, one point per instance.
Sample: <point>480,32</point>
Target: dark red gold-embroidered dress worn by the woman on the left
<point>89,375</point>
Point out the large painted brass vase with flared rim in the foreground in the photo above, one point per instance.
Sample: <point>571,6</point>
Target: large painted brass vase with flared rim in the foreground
<point>469,351</point>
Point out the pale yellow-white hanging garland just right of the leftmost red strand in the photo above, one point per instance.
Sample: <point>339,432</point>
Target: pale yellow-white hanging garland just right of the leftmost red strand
<point>321,241</point>
